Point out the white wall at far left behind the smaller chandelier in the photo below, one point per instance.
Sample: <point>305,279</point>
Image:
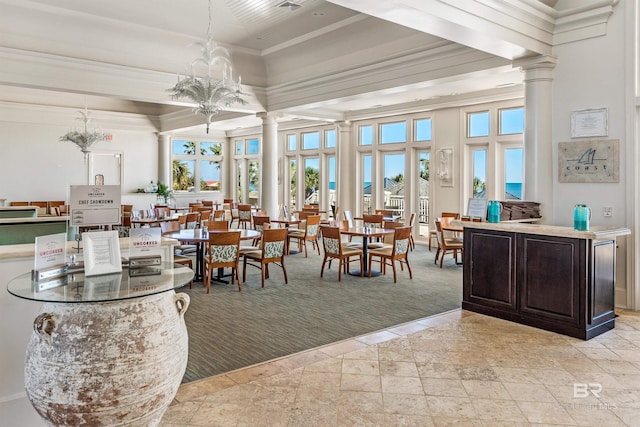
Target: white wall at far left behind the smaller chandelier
<point>35,165</point>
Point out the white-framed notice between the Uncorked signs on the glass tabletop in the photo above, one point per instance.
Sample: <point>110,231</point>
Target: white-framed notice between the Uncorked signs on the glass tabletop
<point>101,253</point>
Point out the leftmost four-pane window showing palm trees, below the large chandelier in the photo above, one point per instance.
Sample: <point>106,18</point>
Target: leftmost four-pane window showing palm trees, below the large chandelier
<point>196,162</point>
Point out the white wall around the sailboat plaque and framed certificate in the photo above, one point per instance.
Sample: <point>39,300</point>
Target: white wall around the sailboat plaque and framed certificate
<point>590,74</point>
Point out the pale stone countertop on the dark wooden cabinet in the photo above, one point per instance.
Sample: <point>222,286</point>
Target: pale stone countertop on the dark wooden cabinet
<point>594,232</point>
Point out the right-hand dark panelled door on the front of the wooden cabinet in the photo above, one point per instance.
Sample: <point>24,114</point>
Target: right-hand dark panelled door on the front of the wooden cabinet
<point>552,271</point>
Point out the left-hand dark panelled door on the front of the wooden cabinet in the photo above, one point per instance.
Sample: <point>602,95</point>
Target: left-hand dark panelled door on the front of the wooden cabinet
<point>489,263</point>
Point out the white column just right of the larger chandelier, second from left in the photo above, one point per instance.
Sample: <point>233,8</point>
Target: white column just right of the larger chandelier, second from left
<point>269,169</point>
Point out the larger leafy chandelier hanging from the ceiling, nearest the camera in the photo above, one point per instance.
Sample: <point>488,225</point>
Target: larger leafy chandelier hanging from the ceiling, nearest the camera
<point>217,90</point>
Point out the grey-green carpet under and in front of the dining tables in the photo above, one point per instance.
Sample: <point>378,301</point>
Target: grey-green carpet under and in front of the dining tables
<point>229,330</point>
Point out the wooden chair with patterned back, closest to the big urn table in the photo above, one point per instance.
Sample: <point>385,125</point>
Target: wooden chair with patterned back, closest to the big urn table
<point>223,251</point>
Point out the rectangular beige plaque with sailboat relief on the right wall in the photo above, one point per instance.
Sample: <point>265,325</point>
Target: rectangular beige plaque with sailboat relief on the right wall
<point>589,161</point>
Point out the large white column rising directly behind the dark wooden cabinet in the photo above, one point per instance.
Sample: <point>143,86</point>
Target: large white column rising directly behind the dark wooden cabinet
<point>538,145</point>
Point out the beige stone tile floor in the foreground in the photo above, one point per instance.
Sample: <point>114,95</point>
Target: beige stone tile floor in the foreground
<point>456,368</point>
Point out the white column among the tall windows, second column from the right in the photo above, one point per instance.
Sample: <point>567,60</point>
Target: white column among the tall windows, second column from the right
<point>346,168</point>
